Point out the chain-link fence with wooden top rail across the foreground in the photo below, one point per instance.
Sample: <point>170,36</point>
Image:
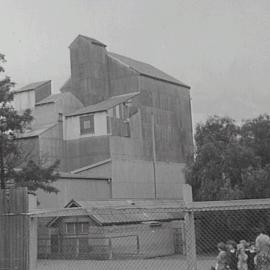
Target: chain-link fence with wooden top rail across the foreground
<point>155,238</point>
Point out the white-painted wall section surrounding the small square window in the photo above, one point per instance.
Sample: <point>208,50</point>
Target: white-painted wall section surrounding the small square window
<point>72,126</point>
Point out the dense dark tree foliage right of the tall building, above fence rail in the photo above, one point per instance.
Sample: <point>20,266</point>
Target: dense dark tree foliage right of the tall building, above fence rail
<point>231,161</point>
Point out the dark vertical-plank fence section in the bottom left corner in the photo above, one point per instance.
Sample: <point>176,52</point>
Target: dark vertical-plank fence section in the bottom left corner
<point>14,229</point>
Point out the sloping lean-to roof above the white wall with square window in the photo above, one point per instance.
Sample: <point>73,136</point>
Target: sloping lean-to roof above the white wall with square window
<point>104,105</point>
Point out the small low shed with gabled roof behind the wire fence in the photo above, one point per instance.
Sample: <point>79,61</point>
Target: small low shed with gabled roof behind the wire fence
<point>116,229</point>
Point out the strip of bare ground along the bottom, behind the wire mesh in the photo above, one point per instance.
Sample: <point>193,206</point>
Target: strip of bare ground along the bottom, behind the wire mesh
<point>171,263</point>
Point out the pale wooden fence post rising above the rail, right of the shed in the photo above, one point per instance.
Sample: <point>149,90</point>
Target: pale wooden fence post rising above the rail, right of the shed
<point>189,229</point>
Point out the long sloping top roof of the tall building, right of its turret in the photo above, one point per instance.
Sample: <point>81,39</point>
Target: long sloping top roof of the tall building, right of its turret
<point>146,69</point>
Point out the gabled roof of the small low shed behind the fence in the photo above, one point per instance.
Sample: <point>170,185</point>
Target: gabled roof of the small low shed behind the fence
<point>110,212</point>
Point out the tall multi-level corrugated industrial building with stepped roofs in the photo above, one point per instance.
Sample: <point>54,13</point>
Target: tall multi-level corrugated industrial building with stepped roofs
<point>120,127</point>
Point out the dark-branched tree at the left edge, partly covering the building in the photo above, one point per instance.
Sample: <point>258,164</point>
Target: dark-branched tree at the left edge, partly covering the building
<point>13,166</point>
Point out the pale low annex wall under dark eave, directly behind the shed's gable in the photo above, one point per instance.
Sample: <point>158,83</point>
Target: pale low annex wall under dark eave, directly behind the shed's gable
<point>78,189</point>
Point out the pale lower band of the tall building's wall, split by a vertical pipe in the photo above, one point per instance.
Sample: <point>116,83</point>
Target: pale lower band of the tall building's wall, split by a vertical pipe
<point>135,179</point>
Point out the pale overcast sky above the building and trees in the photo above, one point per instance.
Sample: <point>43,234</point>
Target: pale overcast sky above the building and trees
<point>221,48</point>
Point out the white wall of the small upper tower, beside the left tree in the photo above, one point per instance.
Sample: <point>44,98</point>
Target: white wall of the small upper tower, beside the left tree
<point>24,100</point>
